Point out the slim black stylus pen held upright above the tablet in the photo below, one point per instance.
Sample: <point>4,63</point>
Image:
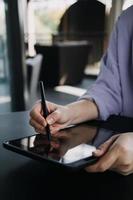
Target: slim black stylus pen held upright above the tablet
<point>44,109</point>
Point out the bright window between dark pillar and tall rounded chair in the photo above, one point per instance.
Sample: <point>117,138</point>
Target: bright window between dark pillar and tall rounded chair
<point>43,19</point>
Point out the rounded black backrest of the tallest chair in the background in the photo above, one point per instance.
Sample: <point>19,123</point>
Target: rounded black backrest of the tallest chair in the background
<point>83,17</point>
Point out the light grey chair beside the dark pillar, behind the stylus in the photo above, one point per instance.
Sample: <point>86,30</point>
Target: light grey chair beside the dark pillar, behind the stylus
<point>33,71</point>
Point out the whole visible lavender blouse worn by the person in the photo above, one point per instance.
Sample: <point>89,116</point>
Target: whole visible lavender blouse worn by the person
<point>113,89</point>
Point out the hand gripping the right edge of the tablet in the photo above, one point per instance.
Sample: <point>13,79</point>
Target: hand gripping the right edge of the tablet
<point>115,154</point>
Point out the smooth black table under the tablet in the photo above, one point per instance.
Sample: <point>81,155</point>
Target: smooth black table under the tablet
<point>24,178</point>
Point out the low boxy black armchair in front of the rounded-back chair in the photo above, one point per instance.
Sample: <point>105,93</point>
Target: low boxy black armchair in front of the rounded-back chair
<point>64,62</point>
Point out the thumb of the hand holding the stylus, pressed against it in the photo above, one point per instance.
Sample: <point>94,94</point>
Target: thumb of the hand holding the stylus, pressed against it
<point>53,117</point>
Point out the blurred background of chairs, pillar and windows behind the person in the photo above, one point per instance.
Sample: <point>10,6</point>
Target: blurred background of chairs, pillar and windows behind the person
<point>58,41</point>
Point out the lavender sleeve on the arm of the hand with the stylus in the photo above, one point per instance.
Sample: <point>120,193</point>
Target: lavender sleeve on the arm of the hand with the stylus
<point>106,91</point>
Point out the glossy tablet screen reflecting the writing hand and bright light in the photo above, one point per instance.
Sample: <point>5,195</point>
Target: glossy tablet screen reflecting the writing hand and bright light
<point>66,146</point>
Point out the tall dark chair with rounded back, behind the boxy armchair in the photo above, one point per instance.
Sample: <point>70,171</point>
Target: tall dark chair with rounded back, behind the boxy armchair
<point>84,20</point>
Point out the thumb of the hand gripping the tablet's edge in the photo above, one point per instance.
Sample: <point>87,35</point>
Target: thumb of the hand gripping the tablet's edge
<point>102,149</point>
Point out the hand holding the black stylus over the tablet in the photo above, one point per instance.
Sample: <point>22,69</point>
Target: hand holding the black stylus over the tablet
<point>59,117</point>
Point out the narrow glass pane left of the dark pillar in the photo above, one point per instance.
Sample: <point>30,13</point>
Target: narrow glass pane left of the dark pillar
<point>4,75</point>
